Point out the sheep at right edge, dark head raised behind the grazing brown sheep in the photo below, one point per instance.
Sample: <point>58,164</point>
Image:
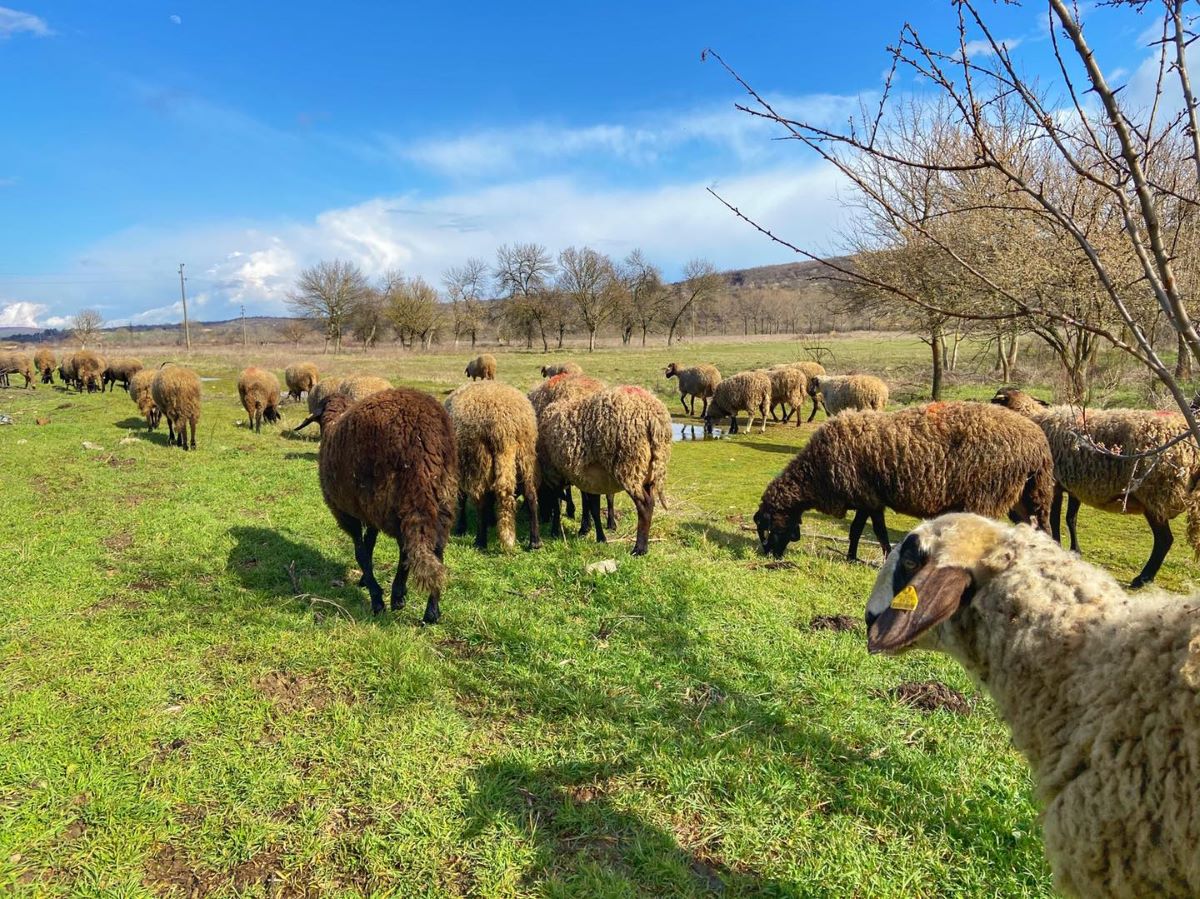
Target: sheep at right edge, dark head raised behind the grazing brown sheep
<point>1161,488</point>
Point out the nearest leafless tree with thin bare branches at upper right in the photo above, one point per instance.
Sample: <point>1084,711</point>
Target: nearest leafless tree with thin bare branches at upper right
<point>1141,158</point>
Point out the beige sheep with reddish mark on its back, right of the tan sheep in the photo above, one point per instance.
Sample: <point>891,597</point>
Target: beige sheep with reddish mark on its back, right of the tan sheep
<point>615,440</point>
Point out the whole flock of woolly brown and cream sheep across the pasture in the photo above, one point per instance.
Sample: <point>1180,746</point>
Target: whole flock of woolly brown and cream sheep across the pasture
<point>1102,691</point>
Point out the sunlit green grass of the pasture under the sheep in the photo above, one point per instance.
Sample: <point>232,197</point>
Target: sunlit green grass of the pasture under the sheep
<point>199,703</point>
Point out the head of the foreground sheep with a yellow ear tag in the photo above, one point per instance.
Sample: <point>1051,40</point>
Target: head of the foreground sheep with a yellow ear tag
<point>927,580</point>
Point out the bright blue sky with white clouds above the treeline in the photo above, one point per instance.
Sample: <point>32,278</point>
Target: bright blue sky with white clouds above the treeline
<point>251,140</point>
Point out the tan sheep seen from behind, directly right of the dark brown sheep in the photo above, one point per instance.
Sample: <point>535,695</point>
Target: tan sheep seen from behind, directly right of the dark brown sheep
<point>497,435</point>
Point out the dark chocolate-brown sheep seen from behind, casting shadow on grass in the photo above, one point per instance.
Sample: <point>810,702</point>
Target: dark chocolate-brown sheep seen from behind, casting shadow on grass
<point>389,464</point>
